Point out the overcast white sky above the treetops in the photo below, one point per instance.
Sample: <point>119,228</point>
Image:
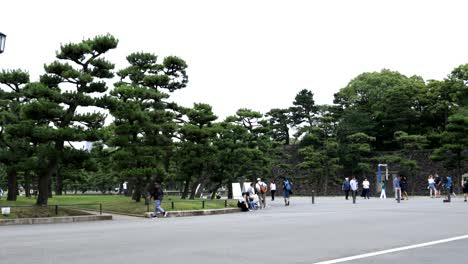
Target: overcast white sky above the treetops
<point>253,54</point>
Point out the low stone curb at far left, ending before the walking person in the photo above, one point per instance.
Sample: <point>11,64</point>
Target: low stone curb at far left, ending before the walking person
<point>54,220</point>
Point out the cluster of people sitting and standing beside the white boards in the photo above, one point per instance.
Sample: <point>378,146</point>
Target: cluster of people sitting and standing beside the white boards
<point>255,196</point>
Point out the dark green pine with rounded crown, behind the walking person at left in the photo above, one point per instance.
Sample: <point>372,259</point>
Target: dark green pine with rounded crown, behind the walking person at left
<point>144,120</point>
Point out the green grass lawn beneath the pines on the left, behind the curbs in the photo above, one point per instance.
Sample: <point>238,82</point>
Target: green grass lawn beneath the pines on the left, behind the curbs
<point>114,203</point>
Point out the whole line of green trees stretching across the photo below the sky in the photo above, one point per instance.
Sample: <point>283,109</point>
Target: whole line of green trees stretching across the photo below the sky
<point>378,117</point>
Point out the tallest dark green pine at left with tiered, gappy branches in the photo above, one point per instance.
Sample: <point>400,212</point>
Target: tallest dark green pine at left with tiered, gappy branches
<point>58,104</point>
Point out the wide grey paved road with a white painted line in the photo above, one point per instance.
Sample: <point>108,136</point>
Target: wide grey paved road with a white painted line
<point>301,233</point>
